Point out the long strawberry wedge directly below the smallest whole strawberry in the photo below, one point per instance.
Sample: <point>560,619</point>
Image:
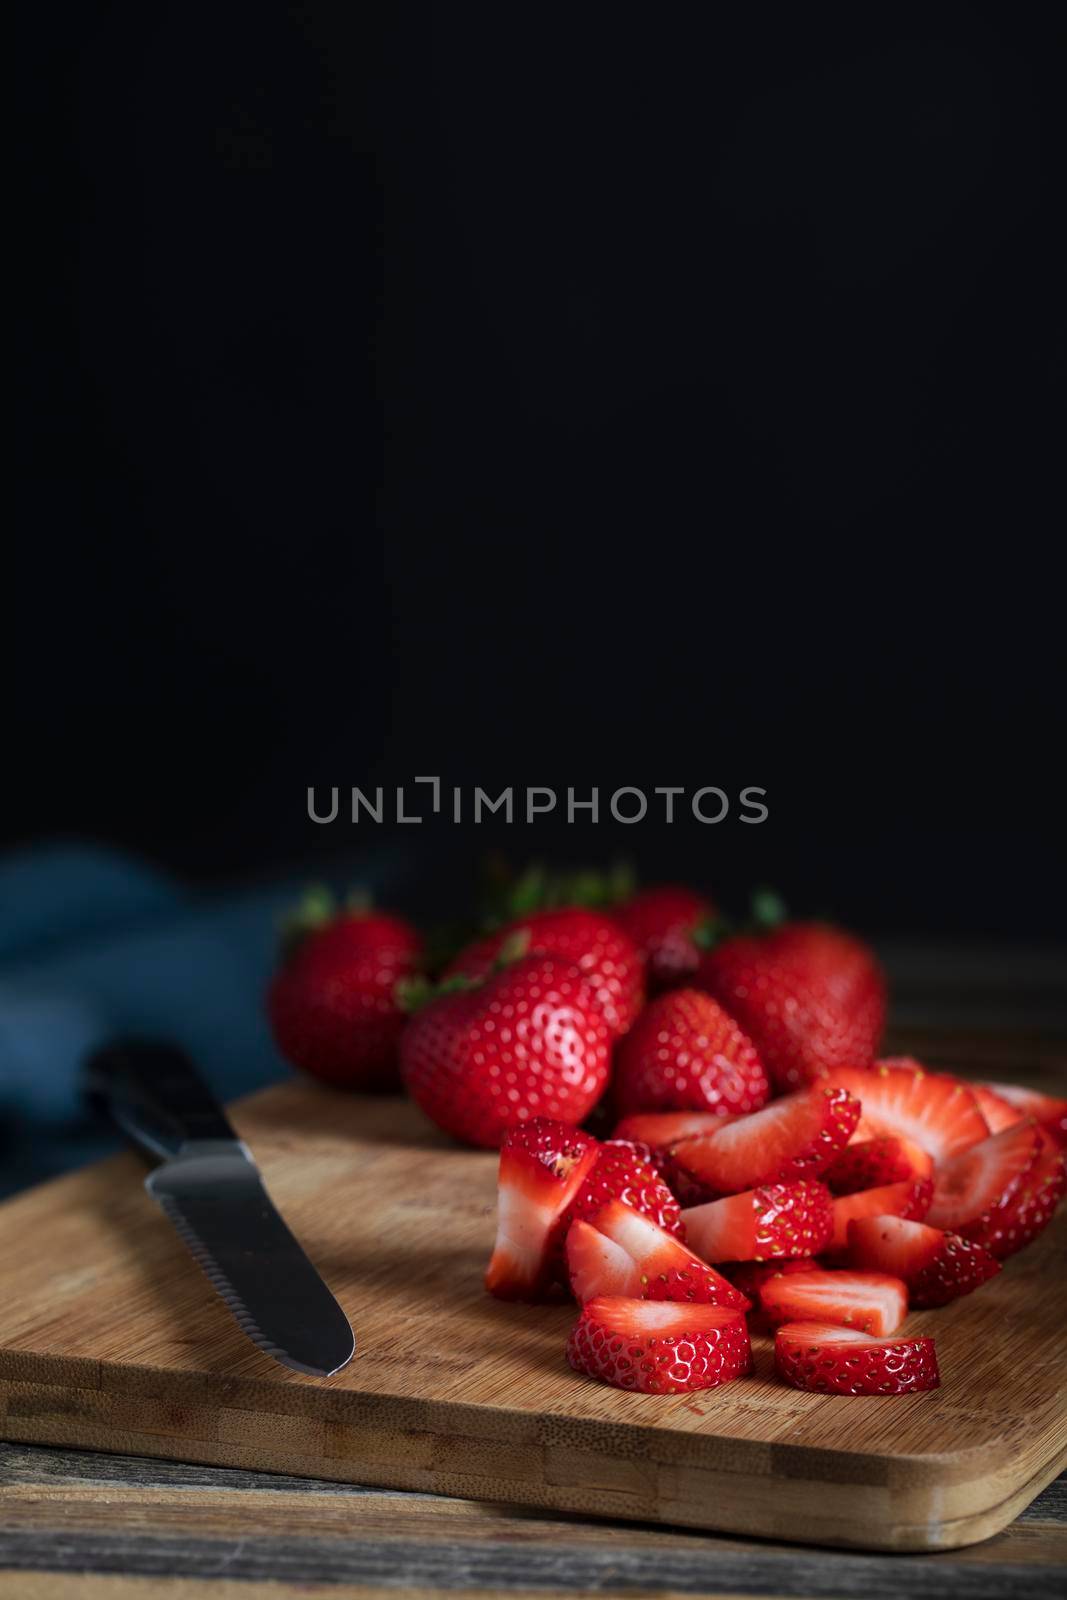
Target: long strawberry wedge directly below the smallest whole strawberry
<point>793,1138</point>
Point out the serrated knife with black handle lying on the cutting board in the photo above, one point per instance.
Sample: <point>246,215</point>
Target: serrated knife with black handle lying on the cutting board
<point>210,1190</point>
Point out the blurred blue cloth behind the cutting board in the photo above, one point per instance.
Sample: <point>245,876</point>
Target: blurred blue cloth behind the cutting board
<point>95,945</point>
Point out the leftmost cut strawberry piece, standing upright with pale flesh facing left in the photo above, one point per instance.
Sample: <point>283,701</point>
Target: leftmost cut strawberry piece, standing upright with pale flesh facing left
<point>543,1167</point>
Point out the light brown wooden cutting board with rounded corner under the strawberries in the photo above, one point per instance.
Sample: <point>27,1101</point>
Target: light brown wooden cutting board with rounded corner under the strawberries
<point>113,1340</point>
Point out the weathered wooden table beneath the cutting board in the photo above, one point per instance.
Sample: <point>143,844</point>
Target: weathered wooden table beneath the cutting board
<point>84,1526</point>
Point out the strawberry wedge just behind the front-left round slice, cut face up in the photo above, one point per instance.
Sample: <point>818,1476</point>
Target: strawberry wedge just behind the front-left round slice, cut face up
<point>644,1263</point>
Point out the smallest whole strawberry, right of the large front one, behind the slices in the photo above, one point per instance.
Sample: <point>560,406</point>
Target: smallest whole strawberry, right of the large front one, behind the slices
<point>684,1054</point>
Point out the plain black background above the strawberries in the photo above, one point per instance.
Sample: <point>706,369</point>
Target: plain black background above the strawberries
<point>541,396</point>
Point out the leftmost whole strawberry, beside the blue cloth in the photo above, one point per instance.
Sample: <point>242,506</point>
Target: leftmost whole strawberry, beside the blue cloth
<point>332,1004</point>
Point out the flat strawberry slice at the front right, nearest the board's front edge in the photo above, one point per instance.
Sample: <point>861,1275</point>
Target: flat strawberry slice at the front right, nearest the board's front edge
<point>841,1362</point>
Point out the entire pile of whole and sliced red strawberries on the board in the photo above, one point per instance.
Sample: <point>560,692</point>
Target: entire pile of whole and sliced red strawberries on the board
<point>767,1170</point>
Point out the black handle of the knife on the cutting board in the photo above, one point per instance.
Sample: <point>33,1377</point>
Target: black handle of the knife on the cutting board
<point>156,1095</point>
